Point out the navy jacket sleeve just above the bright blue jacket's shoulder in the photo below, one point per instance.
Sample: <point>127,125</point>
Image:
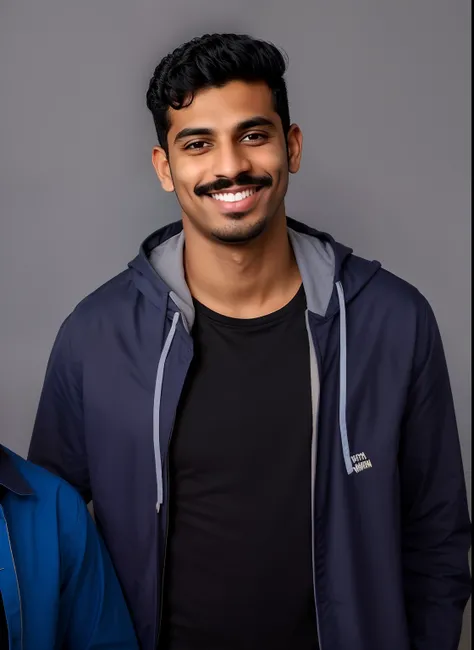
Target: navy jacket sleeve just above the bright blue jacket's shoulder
<point>58,442</point>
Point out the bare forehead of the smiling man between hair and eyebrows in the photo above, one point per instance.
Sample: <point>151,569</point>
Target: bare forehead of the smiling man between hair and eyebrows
<point>223,108</point>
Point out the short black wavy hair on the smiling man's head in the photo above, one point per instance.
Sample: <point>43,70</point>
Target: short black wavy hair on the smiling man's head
<point>211,61</point>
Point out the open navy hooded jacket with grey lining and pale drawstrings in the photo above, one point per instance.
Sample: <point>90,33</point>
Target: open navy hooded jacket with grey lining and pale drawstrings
<point>390,522</point>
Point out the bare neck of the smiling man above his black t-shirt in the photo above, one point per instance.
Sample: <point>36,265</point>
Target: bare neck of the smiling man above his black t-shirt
<point>242,281</point>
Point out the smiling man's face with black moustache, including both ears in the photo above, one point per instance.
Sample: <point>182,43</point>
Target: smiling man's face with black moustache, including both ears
<point>228,161</point>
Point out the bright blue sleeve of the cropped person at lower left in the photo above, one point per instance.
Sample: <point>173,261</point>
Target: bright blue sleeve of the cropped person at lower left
<point>92,610</point>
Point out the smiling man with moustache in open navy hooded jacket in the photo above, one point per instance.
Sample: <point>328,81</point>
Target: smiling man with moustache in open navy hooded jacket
<point>263,420</point>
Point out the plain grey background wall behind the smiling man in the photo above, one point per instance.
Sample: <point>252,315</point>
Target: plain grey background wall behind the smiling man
<point>380,88</point>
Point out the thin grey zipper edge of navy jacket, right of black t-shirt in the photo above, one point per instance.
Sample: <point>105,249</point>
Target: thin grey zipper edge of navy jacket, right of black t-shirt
<point>314,364</point>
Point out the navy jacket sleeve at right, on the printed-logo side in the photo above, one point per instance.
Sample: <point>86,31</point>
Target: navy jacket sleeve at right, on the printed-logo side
<point>435,518</point>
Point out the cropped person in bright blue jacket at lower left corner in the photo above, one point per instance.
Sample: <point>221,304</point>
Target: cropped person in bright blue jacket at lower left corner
<point>58,588</point>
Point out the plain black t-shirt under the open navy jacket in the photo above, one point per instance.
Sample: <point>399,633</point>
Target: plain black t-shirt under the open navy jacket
<point>238,572</point>
